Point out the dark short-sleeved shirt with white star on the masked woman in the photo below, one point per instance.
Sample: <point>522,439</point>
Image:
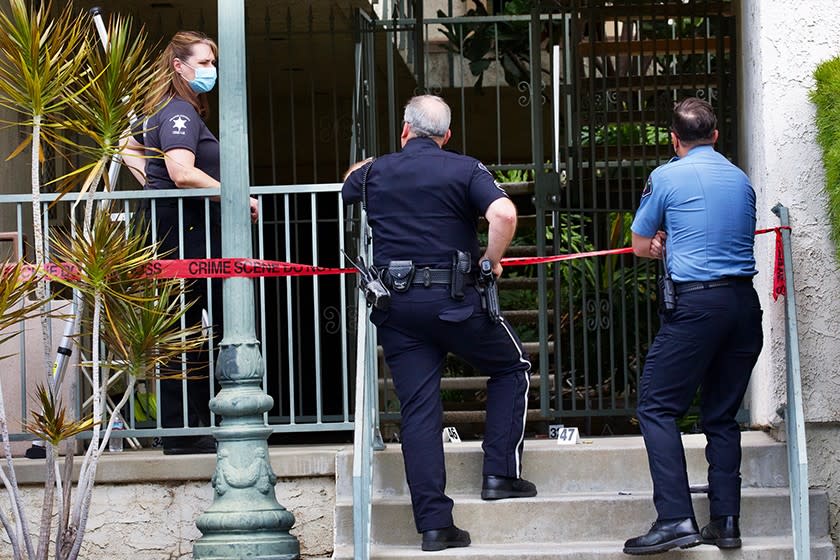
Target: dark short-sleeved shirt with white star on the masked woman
<point>178,125</point>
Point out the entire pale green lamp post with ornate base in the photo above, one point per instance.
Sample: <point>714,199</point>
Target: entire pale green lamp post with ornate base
<point>245,519</point>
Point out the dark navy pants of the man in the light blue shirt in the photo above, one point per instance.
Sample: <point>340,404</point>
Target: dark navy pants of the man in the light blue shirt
<point>711,342</point>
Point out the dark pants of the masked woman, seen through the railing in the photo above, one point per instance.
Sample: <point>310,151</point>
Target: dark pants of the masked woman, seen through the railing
<point>195,246</point>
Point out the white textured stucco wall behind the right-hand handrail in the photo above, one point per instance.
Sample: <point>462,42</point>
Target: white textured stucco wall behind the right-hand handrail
<point>780,47</point>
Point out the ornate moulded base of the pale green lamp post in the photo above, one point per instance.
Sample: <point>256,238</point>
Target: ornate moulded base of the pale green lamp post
<point>245,519</point>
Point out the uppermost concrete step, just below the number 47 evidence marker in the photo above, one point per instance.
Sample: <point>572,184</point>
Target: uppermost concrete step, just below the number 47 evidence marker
<point>603,464</point>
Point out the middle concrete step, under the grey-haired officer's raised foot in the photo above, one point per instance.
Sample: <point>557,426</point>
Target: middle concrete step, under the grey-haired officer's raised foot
<point>765,512</point>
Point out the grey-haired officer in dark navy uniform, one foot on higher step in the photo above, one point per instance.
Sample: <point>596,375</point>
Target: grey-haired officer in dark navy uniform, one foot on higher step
<point>423,205</point>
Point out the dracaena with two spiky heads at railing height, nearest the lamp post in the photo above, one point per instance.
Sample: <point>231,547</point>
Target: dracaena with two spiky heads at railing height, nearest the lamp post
<point>137,317</point>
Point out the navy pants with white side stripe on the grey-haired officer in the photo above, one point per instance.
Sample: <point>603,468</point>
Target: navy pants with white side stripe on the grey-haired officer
<point>416,334</point>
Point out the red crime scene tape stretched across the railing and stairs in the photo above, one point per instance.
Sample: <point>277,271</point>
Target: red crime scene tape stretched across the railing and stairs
<point>260,268</point>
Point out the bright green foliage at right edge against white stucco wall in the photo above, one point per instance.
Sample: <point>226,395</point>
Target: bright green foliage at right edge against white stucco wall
<point>826,97</point>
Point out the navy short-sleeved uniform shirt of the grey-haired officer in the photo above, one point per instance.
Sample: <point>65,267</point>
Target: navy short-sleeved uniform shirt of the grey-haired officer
<point>423,203</point>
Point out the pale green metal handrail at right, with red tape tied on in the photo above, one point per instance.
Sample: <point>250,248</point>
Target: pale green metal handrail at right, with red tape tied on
<point>794,416</point>
